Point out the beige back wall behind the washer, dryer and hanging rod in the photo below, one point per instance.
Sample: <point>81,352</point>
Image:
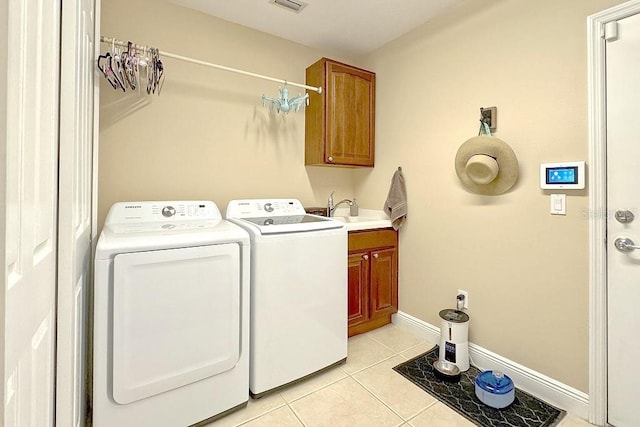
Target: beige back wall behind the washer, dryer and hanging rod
<point>207,136</point>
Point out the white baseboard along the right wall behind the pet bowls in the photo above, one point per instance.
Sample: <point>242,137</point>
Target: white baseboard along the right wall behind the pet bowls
<point>554,392</point>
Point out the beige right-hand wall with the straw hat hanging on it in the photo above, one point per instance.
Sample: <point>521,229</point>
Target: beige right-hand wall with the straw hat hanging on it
<point>526,271</point>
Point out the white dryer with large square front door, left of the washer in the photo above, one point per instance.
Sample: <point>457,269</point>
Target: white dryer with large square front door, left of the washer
<point>171,315</point>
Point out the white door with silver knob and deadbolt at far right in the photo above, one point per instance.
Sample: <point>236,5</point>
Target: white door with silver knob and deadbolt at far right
<point>623,199</point>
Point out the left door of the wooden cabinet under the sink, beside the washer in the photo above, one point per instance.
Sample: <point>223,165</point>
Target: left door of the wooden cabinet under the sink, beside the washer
<point>358,288</point>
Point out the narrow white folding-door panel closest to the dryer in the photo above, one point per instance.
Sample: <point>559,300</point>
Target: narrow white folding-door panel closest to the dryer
<point>74,209</point>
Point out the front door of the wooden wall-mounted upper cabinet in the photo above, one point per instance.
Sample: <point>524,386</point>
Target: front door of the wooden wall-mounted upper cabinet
<point>350,116</point>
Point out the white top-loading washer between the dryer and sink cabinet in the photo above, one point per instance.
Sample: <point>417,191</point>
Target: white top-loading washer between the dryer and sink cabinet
<point>298,291</point>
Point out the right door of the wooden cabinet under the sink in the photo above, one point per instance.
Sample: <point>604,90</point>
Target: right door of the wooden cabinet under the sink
<point>384,279</point>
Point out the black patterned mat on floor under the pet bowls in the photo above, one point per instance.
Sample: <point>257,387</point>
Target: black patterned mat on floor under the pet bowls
<point>525,411</point>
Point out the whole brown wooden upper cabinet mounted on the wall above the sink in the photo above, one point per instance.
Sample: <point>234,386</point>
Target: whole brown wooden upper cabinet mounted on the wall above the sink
<point>340,122</point>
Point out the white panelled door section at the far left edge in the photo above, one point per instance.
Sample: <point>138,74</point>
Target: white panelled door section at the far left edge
<point>29,73</point>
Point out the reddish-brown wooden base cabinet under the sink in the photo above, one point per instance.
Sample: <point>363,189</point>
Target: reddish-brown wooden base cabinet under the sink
<point>373,279</point>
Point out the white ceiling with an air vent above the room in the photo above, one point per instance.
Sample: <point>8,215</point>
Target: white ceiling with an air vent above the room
<point>352,27</point>
